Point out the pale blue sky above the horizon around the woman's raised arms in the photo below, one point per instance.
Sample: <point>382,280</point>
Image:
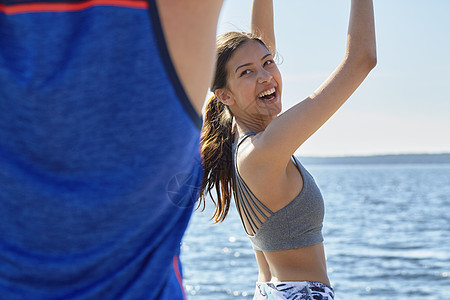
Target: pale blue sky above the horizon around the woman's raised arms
<point>402,107</point>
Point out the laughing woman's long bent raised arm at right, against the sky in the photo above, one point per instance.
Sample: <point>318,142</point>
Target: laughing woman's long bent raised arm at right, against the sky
<point>290,130</point>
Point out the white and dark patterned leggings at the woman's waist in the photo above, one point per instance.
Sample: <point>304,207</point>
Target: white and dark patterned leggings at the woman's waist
<point>293,290</point>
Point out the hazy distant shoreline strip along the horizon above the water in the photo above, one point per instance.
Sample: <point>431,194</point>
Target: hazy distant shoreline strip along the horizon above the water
<point>443,158</point>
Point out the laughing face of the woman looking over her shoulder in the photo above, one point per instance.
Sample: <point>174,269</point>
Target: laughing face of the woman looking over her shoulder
<point>254,83</point>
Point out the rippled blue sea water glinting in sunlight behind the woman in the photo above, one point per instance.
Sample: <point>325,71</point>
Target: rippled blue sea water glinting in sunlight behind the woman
<point>386,230</point>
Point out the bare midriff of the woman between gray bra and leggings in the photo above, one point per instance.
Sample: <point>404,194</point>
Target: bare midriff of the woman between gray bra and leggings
<point>301,264</point>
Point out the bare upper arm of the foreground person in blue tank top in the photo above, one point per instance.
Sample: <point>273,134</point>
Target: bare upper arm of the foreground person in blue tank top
<point>190,30</point>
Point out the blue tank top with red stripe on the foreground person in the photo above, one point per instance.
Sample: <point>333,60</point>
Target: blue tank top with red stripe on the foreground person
<point>99,160</point>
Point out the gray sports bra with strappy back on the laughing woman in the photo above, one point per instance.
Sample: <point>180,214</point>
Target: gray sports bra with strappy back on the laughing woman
<point>298,224</point>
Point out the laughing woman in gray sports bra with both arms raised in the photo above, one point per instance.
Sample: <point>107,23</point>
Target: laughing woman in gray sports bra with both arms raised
<point>247,150</point>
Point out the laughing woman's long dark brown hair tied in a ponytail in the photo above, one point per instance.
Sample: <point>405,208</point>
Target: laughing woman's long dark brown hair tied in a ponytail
<point>216,136</point>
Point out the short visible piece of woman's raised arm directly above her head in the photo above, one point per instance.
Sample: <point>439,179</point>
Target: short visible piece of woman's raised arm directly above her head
<point>262,22</point>
